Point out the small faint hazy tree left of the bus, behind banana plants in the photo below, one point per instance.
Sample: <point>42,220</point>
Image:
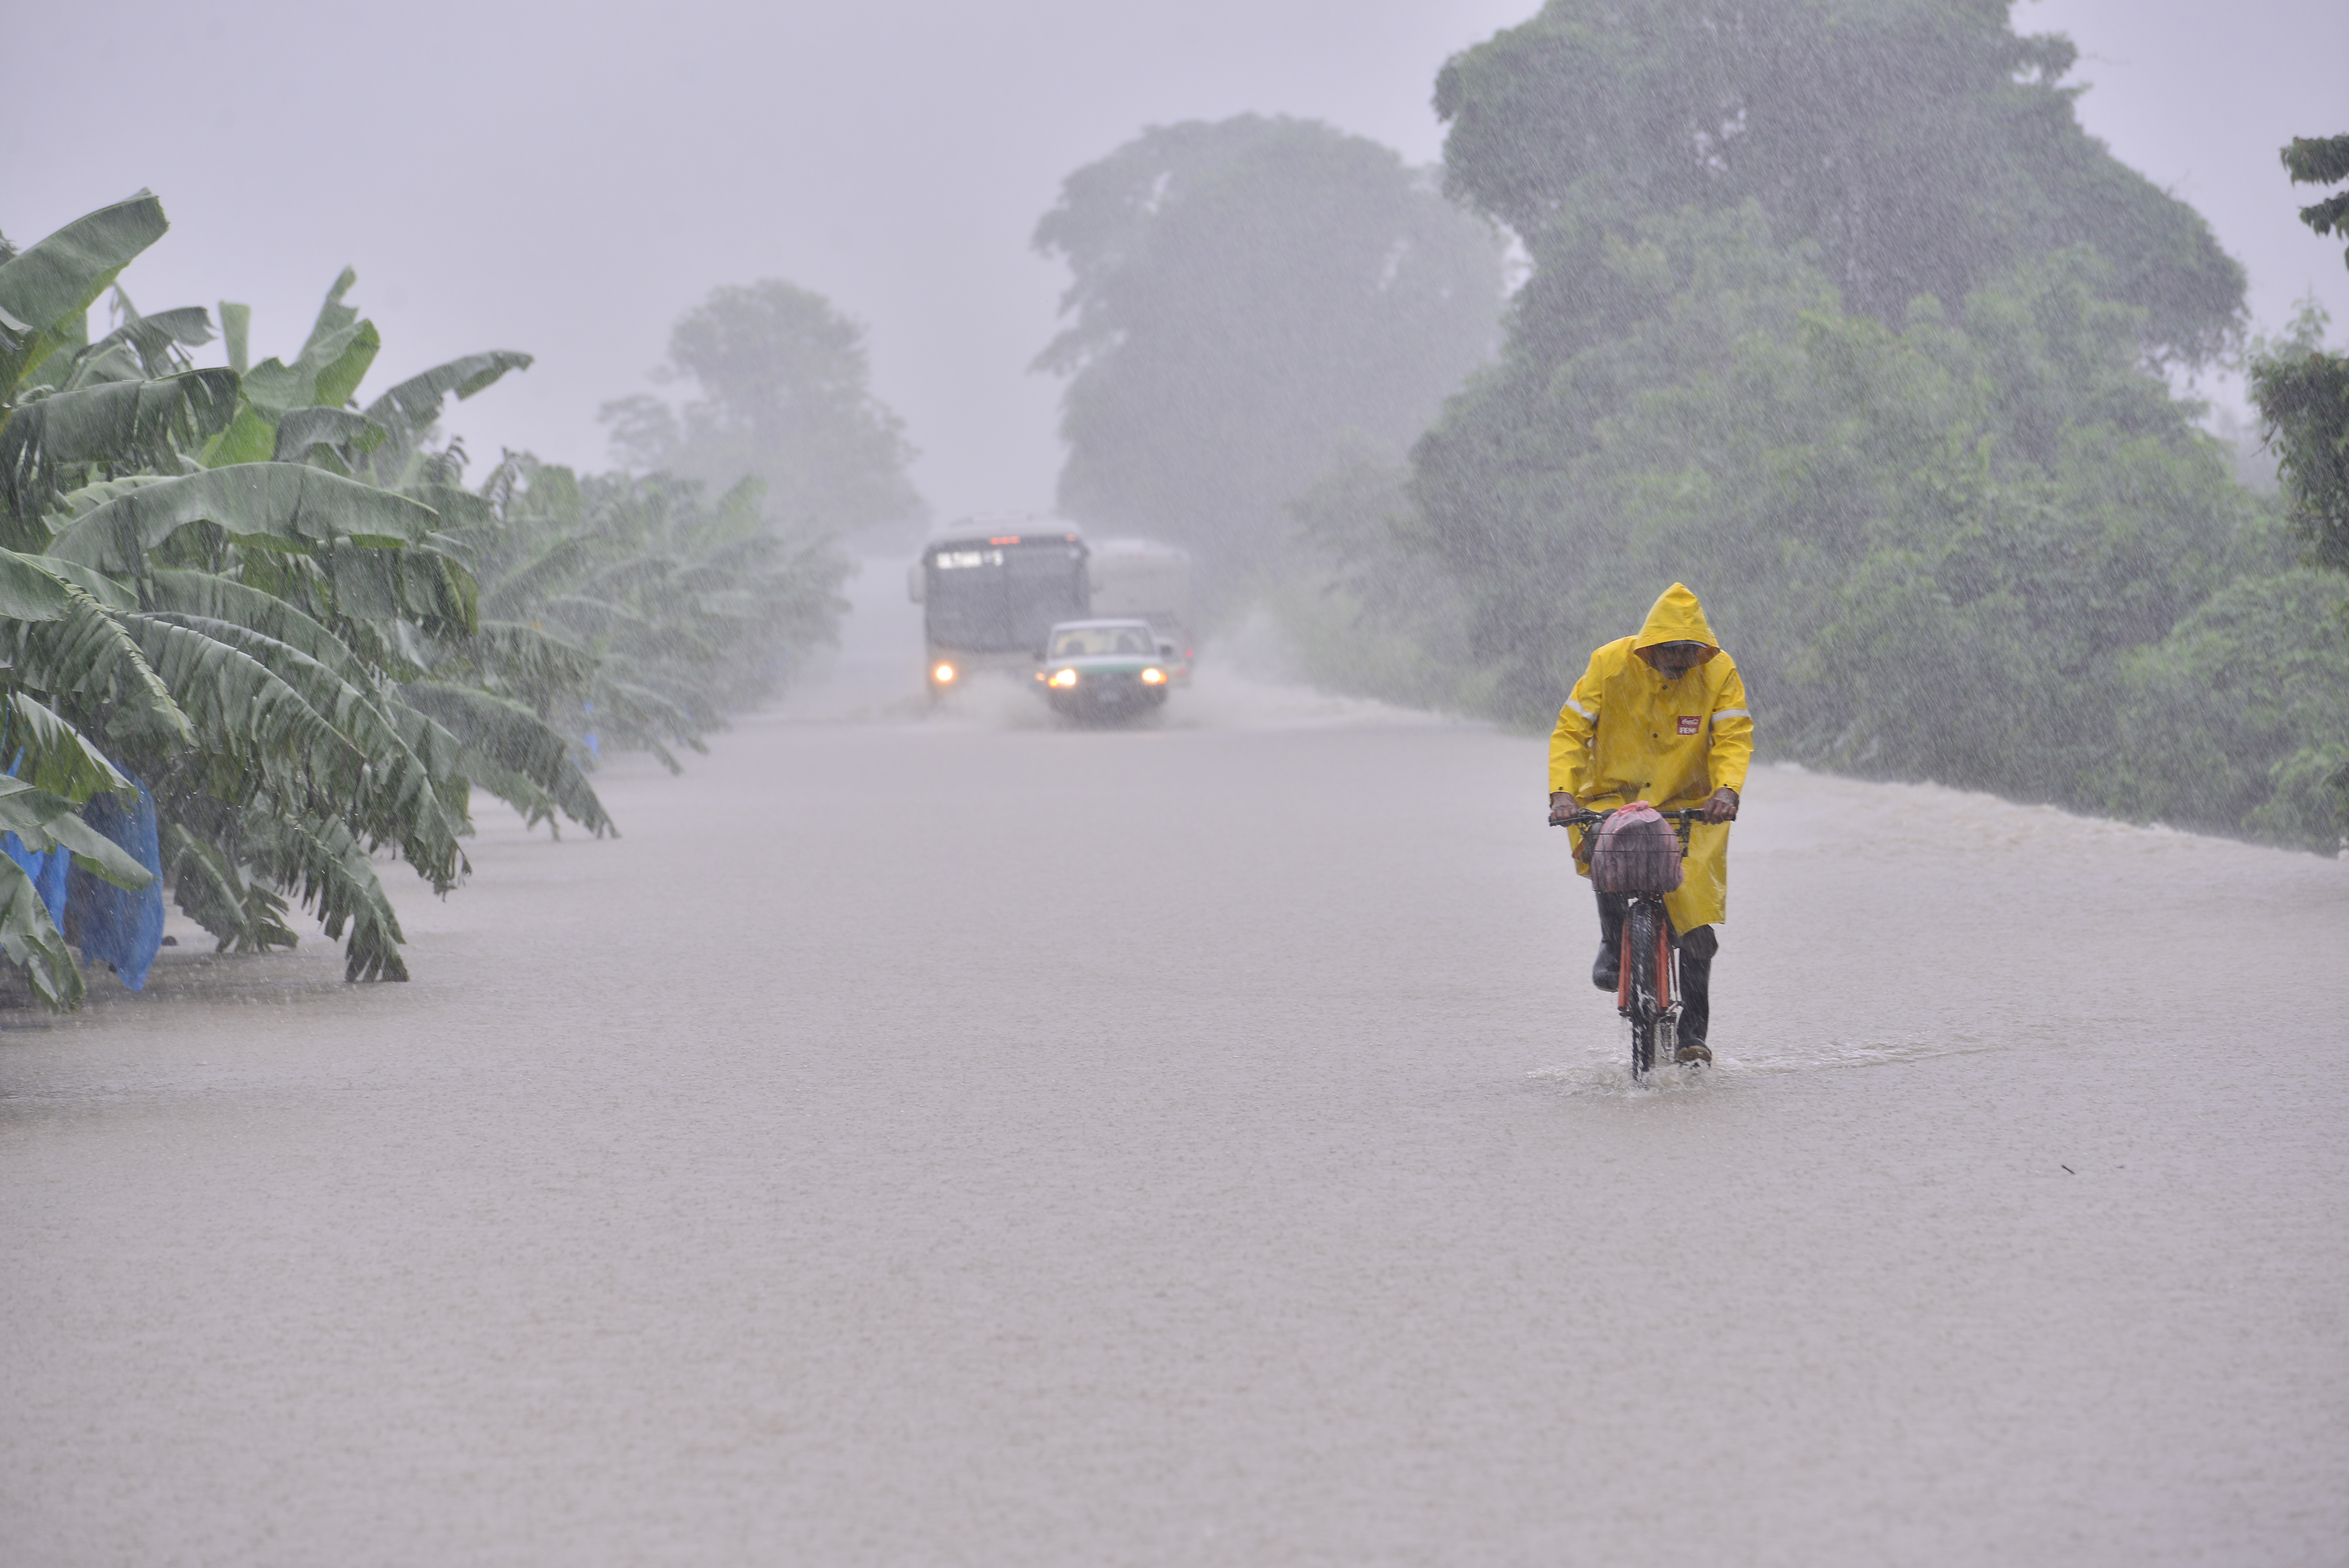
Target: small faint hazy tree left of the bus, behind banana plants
<point>786,398</point>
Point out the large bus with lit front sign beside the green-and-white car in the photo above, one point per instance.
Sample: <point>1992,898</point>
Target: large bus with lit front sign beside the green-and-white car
<point>992,590</point>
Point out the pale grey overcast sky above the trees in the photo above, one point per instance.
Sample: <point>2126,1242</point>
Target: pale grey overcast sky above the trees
<point>570,180</point>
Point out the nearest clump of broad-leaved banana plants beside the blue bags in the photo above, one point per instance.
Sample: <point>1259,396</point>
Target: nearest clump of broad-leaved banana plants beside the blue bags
<point>236,635</point>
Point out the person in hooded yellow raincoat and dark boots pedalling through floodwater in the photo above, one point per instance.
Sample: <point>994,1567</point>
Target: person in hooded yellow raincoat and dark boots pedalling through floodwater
<point>1662,717</point>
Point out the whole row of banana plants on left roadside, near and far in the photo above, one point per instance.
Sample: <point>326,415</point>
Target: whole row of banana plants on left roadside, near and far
<point>262,604</point>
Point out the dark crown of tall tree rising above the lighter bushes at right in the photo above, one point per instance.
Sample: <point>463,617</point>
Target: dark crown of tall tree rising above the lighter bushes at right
<point>1920,144</point>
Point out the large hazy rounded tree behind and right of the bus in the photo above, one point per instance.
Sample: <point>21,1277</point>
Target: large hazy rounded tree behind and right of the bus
<point>1246,295</point>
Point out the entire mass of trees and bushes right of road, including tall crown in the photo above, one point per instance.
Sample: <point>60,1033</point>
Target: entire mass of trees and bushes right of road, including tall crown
<point>1840,318</point>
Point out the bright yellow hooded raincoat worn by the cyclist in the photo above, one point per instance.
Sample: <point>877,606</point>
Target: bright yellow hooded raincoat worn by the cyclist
<point>1629,734</point>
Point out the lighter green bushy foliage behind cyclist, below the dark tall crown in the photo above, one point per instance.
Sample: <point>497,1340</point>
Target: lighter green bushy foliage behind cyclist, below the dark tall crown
<point>1939,550</point>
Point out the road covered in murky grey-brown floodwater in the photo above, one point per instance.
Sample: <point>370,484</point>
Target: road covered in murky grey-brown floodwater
<point>969,1142</point>
